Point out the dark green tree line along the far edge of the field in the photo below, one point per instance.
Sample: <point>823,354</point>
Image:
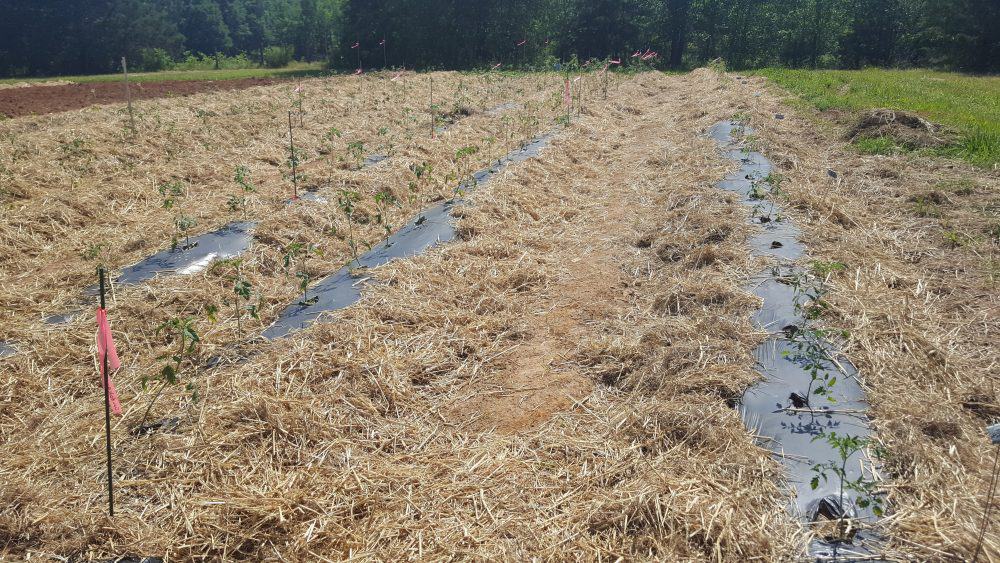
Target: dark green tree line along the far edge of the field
<point>48,37</point>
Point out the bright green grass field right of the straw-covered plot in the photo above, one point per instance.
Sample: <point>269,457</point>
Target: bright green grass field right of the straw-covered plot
<point>968,104</point>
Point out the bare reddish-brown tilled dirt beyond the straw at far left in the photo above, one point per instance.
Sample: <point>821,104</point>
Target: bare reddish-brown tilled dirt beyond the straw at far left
<point>40,100</point>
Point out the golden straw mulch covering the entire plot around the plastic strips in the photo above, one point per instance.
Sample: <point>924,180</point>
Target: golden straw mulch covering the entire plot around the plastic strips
<point>556,384</point>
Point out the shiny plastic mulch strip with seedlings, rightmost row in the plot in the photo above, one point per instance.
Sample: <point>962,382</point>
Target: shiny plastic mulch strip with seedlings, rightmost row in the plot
<point>779,409</point>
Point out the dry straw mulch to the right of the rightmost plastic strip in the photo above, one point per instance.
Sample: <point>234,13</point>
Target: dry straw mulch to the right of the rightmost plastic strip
<point>920,239</point>
